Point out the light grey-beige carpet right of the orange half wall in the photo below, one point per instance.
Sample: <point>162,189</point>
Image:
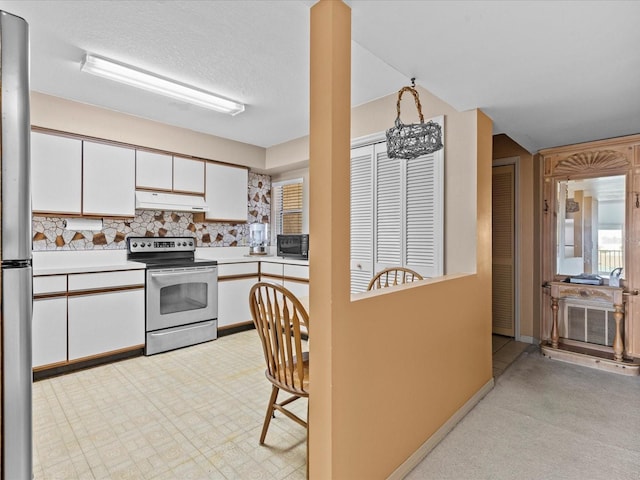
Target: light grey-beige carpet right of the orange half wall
<point>545,420</point>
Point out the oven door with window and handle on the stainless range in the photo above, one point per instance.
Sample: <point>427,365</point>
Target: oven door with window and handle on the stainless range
<point>180,296</point>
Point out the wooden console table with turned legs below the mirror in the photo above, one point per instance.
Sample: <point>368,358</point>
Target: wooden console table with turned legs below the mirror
<point>609,296</point>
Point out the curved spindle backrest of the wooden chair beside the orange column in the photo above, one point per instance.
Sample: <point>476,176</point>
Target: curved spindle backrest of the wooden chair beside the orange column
<point>277,315</point>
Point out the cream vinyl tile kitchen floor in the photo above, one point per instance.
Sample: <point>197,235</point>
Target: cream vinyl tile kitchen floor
<point>193,413</point>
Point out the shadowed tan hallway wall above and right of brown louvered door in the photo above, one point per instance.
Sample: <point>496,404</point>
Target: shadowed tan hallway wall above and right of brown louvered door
<point>529,287</point>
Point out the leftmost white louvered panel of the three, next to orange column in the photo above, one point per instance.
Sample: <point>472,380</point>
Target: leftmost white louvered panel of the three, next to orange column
<point>361,218</point>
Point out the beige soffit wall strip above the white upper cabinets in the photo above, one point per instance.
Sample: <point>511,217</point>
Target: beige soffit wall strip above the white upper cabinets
<point>64,115</point>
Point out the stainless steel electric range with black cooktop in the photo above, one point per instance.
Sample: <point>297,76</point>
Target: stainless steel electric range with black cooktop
<point>181,292</point>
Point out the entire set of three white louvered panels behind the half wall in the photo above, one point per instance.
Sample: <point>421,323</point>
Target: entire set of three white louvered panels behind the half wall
<point>396,213</point>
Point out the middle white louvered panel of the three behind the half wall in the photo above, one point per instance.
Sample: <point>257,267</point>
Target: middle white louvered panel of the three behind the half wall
<point>388,209</point>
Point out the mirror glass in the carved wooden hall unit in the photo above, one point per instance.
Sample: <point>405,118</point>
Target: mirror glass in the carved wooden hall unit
<point>591,225</point>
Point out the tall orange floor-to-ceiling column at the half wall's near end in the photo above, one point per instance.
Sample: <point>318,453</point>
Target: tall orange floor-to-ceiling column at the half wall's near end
<point>329,173</point>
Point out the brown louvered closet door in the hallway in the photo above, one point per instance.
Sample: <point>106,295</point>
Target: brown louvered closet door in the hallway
<point>503,250</point>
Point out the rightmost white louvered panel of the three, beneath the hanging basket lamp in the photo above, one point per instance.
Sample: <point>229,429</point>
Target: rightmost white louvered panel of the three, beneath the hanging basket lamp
<point>424,215</point>
